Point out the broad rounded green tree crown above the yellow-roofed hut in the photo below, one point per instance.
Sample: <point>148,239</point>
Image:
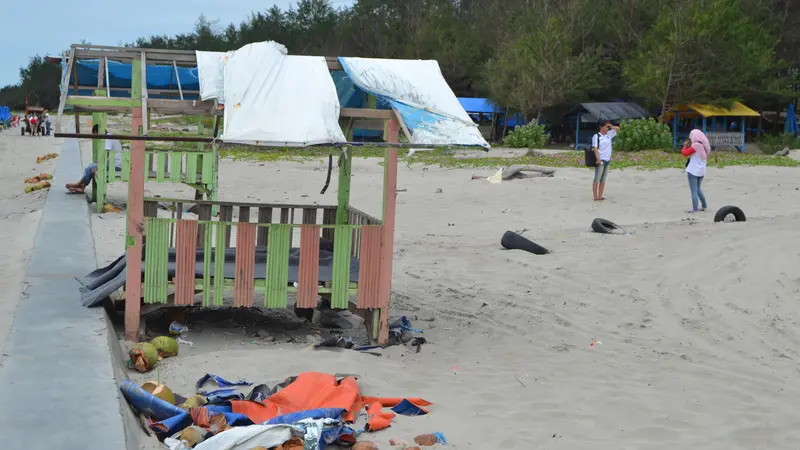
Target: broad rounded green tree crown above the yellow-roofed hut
<point>709,51</point>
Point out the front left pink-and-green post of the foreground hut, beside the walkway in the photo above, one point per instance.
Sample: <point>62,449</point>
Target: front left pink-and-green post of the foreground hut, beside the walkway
<point>135,223</point>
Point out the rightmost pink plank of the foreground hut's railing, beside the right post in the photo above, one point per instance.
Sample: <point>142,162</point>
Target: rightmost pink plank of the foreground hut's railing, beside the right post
<point>370,269</point>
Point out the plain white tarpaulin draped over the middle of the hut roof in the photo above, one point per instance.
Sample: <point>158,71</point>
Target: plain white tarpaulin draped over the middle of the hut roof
<point>274,99</point>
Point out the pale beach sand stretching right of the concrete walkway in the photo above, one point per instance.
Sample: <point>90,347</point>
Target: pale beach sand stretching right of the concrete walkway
<point>697,320</point>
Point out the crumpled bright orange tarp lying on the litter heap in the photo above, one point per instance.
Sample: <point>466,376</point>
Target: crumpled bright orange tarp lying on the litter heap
<point>312,390</point>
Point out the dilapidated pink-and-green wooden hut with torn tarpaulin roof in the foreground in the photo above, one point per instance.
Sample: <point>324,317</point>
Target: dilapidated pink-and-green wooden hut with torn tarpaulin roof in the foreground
<point>343,255</point>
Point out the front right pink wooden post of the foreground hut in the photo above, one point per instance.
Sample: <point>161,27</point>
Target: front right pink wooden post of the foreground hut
<point>387,238</point>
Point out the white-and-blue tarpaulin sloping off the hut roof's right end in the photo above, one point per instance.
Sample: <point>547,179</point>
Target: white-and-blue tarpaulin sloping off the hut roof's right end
<point>419,92</point>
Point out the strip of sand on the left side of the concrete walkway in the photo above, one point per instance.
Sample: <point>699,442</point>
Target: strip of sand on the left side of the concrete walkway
<point>19,214</point>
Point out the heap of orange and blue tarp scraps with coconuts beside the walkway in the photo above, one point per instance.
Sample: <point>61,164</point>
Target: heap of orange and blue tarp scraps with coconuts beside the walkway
<point>314,408</point>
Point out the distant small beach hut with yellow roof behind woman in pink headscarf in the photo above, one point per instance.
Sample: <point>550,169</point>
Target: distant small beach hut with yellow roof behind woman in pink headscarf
<point>725,127</point>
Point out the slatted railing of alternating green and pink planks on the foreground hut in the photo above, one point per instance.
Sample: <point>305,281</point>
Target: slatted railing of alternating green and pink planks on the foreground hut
<point>255,238</point>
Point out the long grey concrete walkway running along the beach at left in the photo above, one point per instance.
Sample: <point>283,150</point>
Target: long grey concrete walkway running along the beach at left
<point>57,386</point>
